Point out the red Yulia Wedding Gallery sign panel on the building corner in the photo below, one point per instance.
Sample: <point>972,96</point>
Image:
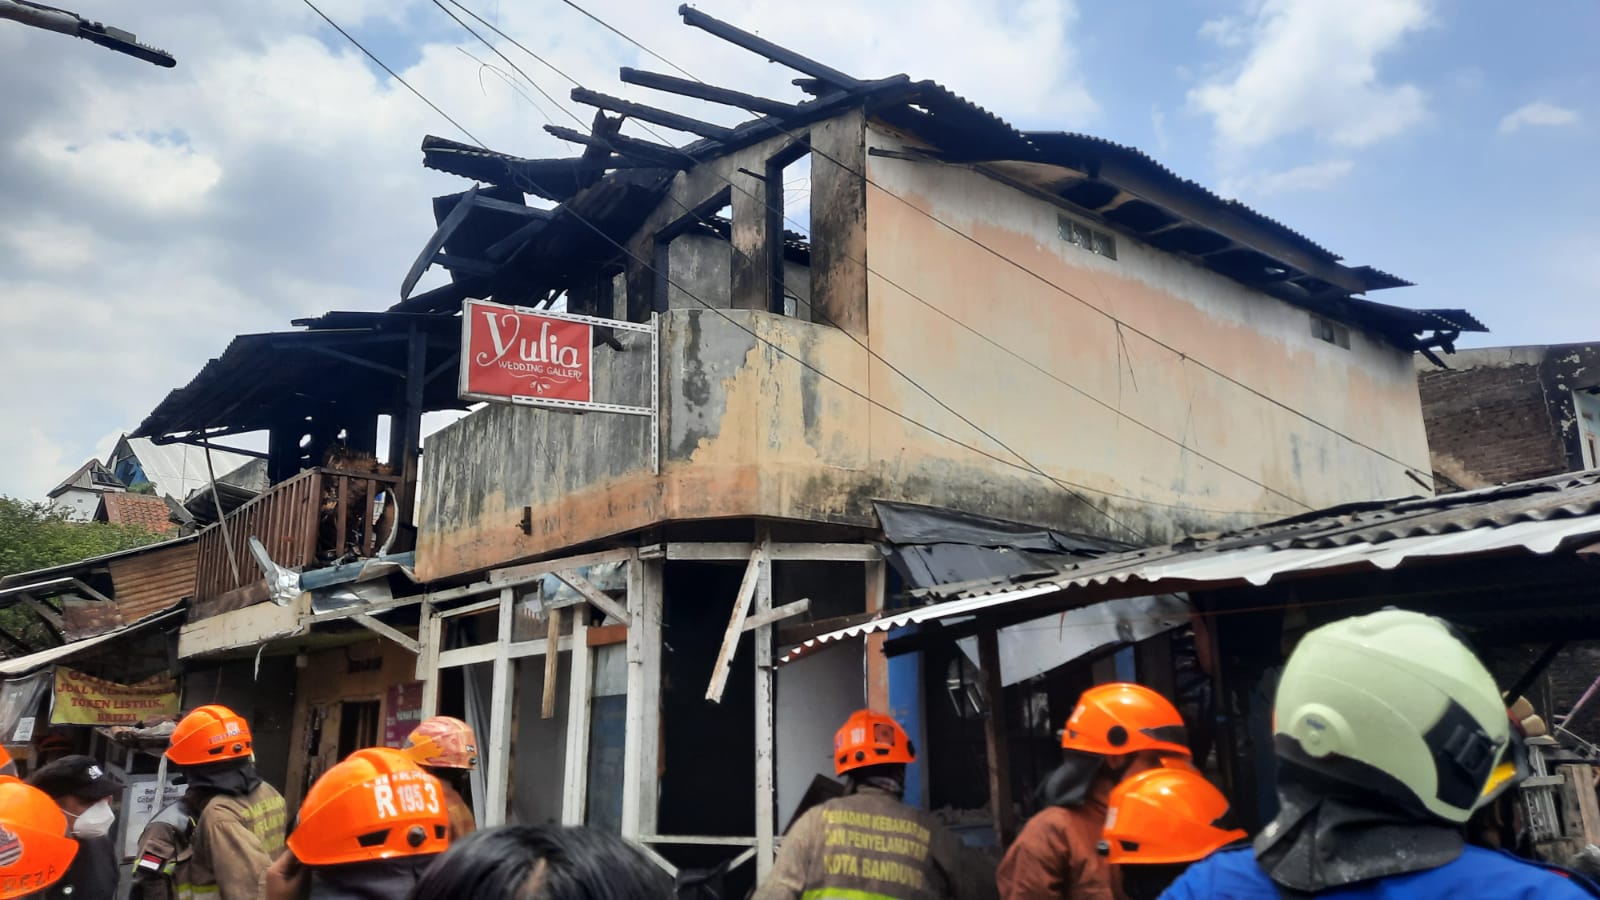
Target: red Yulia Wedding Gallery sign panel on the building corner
<point>511,355</point>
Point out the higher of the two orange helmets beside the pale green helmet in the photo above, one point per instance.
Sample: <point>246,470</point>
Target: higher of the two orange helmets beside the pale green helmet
<point>1122,718</point>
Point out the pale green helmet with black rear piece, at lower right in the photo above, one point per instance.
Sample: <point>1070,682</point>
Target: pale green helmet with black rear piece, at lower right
<point>1396,705</point>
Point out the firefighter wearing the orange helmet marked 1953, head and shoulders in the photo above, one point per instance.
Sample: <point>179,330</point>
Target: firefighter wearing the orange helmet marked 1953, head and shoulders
<point>367,830</point>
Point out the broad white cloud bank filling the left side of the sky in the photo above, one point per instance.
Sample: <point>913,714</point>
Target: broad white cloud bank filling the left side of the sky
<point>150,215</point>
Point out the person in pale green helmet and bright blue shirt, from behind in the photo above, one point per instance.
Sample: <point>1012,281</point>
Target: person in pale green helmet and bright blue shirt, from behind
<point>1390,733</point>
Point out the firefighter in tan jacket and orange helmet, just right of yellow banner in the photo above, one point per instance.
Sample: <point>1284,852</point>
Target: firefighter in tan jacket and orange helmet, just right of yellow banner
<point>239,819</point>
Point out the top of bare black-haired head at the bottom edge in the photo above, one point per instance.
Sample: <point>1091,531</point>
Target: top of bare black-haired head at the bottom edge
<point>543,862</point>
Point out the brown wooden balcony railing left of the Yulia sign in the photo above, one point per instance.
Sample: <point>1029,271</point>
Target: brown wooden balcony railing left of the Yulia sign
<point>313,520</point>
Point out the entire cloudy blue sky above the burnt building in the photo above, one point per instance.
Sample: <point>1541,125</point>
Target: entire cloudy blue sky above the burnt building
<point>150,215</point>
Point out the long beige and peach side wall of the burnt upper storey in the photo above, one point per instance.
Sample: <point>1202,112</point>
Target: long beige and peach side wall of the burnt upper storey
<point>1084,422</point>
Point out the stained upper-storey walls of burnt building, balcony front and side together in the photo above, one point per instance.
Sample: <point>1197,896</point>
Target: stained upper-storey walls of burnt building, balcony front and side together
<point>775,417</point>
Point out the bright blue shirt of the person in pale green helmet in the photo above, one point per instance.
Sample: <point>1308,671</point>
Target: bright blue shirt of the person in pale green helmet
<point>1234,875</point>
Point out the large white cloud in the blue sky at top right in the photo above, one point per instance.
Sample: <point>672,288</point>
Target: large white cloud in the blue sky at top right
<point>1313,66</point>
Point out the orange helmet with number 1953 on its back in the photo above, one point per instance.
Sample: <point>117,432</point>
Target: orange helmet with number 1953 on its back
<point>374,806</point>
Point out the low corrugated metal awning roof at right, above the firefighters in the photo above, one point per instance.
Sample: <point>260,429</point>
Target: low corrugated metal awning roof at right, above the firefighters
<point>1532,518</point>
